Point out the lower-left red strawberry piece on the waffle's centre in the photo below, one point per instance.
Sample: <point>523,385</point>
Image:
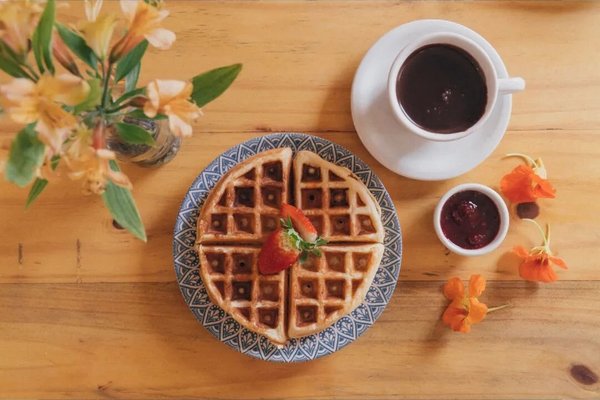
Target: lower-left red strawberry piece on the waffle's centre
<point>279,252</point>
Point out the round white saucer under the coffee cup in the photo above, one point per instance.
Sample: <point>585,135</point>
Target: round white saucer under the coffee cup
<point>397,148</point>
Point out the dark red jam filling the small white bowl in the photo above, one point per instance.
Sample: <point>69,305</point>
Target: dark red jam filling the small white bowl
<point>470,219</point>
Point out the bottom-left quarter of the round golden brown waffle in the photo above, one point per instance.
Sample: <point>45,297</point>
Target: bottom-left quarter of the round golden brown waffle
<point>233,282</point>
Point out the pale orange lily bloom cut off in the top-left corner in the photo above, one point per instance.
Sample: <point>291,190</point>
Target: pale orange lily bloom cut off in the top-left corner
<point>18,20</point>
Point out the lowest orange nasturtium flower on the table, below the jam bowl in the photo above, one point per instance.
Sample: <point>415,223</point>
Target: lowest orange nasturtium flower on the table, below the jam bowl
<point>464,309</point>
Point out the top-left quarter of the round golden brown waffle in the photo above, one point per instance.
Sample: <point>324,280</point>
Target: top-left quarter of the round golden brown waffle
<point>244,205</point>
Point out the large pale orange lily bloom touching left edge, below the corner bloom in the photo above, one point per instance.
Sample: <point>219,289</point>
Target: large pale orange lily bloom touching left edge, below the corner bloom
<point>27,102</point>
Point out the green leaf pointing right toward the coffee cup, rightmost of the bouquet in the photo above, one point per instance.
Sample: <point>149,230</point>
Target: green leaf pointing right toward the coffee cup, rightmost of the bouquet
<point>210,85</point>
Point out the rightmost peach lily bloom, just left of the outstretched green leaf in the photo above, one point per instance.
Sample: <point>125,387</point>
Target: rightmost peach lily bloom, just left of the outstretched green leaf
<point>171,98</point>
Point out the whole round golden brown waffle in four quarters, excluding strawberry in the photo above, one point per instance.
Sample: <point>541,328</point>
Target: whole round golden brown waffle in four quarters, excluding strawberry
<point>244,208</point>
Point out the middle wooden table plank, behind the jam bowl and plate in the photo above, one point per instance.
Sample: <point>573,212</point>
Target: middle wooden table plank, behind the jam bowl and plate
<point>41,244</point>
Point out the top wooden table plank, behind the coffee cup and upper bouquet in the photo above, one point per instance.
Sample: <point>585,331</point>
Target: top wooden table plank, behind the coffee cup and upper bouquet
<point>300,57</point>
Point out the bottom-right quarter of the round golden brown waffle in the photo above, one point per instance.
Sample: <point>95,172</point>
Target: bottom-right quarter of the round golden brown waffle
<point>324,289</point>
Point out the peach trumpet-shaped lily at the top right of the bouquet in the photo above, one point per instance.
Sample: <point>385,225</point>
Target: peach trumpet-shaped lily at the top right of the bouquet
<point>144,22</point>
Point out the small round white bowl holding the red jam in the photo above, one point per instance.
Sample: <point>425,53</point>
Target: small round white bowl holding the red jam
<point>502,209</point>
